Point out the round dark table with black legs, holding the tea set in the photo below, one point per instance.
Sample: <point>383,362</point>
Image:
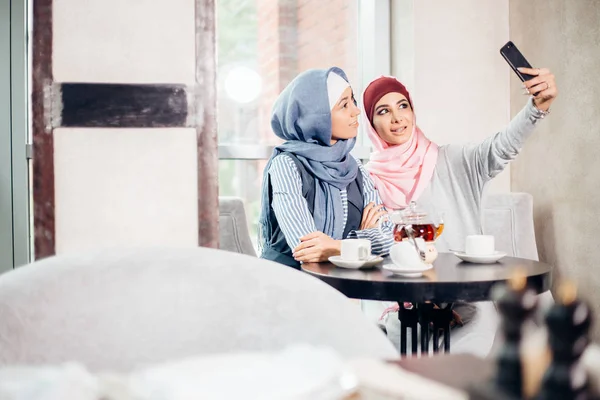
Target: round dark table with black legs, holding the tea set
<point>449,281</point>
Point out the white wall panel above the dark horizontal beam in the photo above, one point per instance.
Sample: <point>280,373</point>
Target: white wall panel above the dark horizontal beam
<point>124,41</point>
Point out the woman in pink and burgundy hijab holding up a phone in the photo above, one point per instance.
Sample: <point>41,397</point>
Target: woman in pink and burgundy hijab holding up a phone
<point>406,166</point>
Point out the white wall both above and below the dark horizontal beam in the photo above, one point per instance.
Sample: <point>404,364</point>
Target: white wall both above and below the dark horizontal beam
<point>120,187</point>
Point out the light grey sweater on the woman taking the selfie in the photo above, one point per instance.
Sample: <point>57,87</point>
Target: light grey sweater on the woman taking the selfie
<point>462,171</point>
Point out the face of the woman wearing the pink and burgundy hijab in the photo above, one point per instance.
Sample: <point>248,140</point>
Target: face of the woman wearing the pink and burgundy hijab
<point>393,118</point>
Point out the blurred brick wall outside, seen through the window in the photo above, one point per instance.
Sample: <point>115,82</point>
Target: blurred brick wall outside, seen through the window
<point>295,35</point>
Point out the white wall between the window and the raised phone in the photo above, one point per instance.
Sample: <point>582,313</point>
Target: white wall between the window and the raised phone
<point>447,53</point>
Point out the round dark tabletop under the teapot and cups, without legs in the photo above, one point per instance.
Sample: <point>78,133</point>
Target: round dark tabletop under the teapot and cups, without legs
<point>450,279</point>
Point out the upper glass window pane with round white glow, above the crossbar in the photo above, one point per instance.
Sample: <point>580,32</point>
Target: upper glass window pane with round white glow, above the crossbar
<point>263,44</point>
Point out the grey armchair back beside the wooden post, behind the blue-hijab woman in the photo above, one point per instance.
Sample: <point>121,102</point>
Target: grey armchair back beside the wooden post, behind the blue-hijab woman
<point>233,229</point>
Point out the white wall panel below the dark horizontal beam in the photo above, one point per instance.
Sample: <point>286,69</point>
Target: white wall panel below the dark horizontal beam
<point>125,187</point>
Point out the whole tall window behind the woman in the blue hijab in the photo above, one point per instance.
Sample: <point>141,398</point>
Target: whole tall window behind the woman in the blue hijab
<point>262,45</point>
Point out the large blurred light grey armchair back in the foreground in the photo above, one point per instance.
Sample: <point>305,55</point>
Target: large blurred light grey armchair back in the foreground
<point>122,309</point>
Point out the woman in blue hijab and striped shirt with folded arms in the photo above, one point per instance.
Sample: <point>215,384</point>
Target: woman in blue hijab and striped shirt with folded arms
<point>314,192</point>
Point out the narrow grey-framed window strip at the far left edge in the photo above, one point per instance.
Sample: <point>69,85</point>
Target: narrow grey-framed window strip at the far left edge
<point>14,212</point>
